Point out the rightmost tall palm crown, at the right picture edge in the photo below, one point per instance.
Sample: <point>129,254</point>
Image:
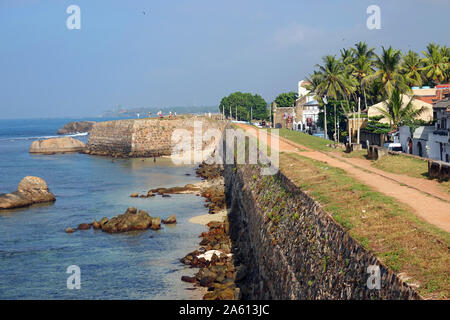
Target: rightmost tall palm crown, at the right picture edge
<point>435,63</point>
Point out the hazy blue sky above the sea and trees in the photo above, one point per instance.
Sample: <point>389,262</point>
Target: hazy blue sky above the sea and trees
<point>183,53</point>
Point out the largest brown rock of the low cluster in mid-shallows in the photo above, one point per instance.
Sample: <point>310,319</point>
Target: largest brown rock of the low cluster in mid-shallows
<point>129,221</point>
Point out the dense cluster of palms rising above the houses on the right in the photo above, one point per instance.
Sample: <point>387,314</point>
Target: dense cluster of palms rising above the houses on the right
<point>359,74</point>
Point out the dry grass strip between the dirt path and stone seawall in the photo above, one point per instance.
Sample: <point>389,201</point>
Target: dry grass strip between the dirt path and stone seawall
<point>404,242</point>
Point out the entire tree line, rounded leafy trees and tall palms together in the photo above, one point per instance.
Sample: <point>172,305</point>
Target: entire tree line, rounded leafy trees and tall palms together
<point>357,75</point>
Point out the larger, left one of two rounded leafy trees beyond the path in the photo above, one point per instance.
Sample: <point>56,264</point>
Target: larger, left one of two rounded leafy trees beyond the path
<point>242,105</point>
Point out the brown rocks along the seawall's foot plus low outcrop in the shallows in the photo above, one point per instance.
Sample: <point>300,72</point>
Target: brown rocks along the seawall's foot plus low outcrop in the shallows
<point>218,272</point>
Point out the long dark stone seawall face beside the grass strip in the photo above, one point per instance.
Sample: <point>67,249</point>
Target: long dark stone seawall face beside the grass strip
<point>292,249</point>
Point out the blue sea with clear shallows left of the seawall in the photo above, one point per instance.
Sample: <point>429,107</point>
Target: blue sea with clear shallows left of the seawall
<point>35,251</point>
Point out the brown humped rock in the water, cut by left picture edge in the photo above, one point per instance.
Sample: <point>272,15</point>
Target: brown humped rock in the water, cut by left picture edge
<point>30,190</point>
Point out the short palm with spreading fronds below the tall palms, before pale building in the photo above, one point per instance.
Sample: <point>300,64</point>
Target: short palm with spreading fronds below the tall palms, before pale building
<point>397,113</point>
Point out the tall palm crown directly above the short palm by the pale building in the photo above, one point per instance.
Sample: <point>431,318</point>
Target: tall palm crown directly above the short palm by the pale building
<point>388,64</point>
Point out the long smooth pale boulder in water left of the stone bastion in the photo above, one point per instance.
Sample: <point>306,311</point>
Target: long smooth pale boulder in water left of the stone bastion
<point>57,145</point>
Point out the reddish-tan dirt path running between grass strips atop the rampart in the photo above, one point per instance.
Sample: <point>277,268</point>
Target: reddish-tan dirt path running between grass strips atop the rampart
<point>425,199</point>
